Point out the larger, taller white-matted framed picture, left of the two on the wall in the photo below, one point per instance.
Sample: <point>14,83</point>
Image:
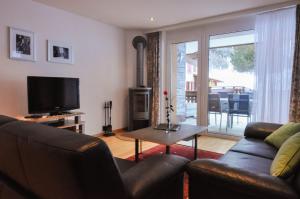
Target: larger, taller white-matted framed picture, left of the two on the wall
<point>22,44</point>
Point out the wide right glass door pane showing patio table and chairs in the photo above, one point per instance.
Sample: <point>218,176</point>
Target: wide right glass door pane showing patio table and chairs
<point>231,82</point>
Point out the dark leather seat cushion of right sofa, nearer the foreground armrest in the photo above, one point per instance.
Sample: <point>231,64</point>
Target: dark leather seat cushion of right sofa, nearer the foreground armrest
<point>247,162</point>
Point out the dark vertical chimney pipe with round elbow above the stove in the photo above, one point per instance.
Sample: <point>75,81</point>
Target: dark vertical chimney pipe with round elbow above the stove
<point>139,43</point>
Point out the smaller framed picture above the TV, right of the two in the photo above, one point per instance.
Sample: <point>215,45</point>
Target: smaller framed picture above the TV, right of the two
<point>60,52</point>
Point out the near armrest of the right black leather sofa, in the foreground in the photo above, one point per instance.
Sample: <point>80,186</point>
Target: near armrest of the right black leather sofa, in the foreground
<point>229,182</point>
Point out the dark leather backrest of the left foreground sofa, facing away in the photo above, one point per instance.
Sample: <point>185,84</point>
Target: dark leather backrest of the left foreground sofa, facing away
<point>46,162</point>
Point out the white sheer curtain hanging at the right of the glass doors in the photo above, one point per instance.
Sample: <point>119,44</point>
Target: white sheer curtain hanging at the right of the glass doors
<point>274,50</point>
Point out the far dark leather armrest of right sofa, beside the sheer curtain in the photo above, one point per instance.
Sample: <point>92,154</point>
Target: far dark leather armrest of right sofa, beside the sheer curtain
<point>260,130</point>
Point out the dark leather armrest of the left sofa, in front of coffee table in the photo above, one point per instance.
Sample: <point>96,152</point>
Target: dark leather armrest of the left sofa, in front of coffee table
<point>154,174</point>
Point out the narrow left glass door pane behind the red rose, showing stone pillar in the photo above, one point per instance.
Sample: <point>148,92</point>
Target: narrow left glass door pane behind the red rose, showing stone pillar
<point>184,82</point>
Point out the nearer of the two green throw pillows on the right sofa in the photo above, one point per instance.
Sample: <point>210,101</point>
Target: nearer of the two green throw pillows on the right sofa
<point>287,158</point>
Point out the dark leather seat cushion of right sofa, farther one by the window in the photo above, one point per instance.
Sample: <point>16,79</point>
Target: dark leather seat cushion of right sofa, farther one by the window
<point>255,147</point>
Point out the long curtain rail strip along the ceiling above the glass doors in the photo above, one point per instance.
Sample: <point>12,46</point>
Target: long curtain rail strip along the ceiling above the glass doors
<point>242,13</point>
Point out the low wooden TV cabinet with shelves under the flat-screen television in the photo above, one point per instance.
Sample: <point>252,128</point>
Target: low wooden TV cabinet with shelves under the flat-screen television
<point>70,121</point>
